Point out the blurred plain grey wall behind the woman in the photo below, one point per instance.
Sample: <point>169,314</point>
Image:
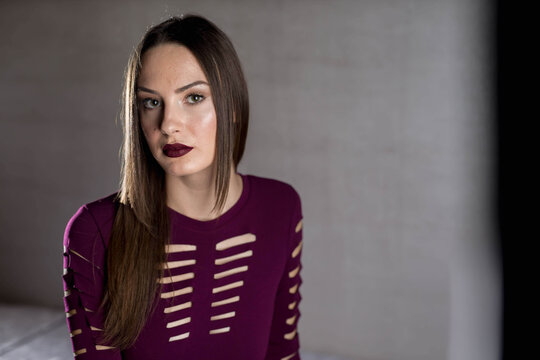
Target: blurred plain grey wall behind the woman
<point>376,111</point>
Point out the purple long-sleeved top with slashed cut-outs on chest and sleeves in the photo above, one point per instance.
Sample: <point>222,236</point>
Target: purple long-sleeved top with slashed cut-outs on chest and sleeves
<point>231,286</point>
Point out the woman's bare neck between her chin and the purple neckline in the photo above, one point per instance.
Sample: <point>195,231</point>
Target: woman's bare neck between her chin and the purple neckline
<point>194,195</point>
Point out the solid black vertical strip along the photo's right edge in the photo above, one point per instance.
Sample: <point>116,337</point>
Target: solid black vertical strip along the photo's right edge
<point>516,104</point>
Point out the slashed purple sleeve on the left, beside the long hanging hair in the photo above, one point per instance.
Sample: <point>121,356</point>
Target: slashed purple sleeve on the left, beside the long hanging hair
<point>83,278</point>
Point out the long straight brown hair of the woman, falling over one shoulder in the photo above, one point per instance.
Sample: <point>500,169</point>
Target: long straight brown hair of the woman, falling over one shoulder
<point>141,230</point>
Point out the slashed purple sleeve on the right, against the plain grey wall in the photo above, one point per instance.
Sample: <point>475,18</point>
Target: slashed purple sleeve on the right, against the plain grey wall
<point>284,342</point>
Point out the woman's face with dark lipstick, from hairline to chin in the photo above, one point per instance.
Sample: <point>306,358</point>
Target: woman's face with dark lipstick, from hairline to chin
<point>175,106</point>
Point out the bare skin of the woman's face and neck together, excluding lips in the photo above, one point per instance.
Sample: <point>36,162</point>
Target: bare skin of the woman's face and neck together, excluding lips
<point>175,106</point>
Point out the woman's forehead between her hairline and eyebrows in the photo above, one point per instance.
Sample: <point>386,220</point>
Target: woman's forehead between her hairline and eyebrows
<point>170,63</point>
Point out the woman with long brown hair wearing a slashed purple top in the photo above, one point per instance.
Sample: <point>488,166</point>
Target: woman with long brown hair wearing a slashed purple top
<point>189,259</point>
